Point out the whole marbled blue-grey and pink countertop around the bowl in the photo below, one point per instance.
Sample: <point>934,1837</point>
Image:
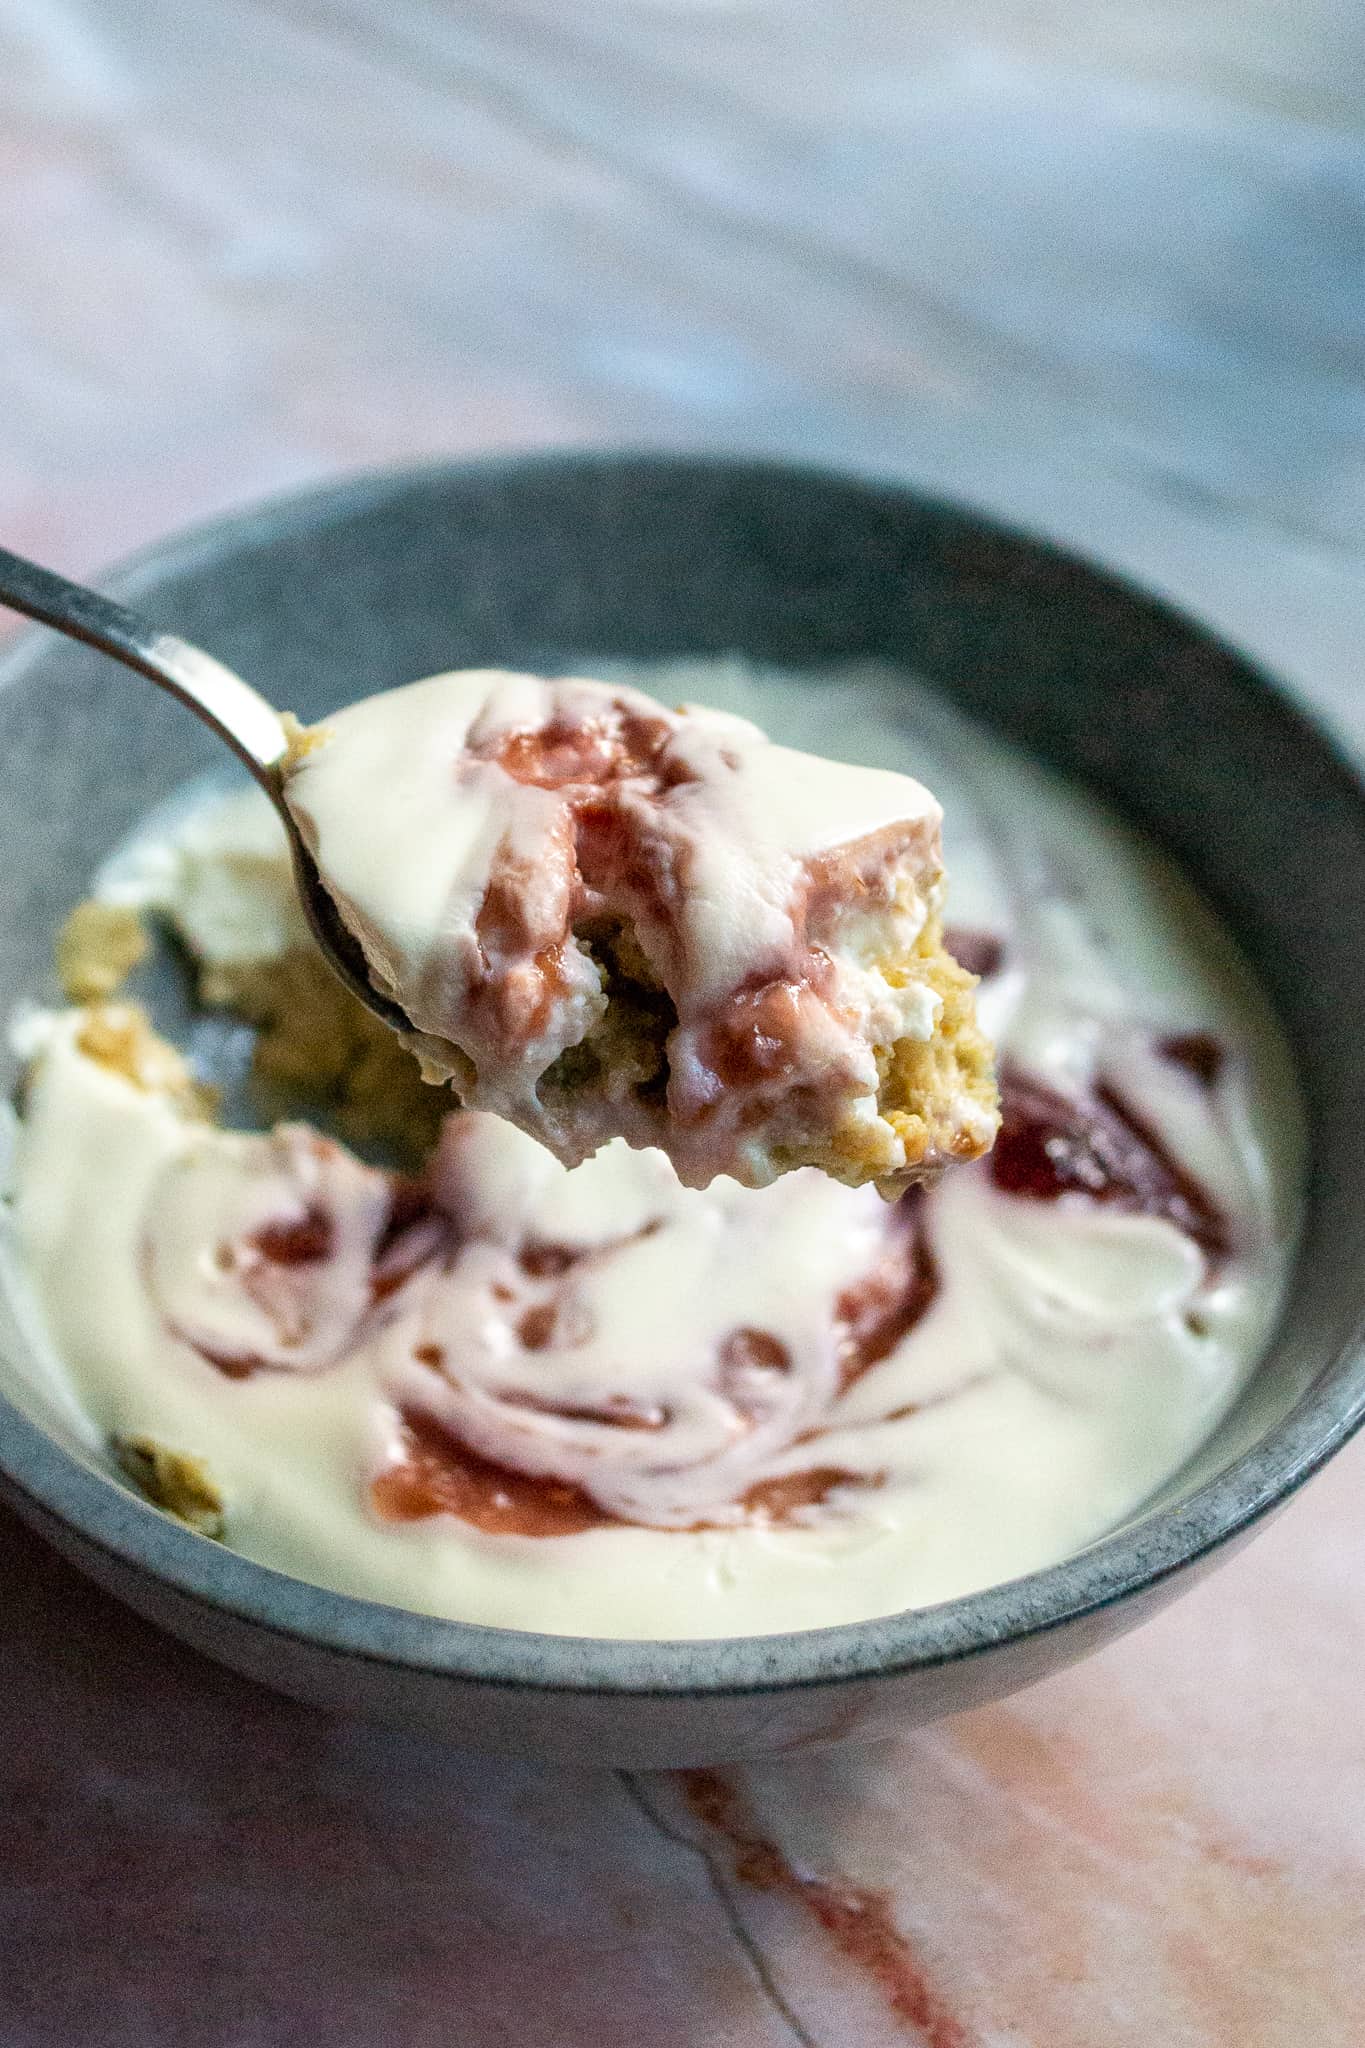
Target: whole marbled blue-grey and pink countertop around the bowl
<point>1100,269</point>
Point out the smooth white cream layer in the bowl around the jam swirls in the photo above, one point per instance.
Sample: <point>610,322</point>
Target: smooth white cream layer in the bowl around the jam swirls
<point>1071,1359</point>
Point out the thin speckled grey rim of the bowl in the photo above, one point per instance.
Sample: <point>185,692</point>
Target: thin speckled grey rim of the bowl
<point>52,1486</point>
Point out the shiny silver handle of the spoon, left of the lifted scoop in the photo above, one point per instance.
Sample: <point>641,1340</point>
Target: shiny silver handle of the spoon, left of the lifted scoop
<point>224,701</point>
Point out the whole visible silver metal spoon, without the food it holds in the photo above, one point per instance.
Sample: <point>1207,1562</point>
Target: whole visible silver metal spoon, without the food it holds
<point>238,714</point>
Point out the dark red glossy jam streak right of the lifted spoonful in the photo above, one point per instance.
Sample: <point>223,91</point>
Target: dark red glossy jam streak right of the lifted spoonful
<point>1100,1148</point>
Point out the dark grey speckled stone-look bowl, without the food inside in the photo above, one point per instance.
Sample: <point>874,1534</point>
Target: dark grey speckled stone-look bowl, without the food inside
<point>531,564</point>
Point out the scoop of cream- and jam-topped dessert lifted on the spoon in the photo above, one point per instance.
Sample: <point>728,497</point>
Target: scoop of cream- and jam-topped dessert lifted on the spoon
<point>615,921</point>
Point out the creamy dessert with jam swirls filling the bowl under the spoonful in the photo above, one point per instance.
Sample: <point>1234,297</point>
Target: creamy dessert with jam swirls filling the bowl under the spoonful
<point>400,1349</point>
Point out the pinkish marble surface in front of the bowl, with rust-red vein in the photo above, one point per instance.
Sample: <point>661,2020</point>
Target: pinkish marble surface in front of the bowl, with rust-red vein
<point>1168,1846</point>
